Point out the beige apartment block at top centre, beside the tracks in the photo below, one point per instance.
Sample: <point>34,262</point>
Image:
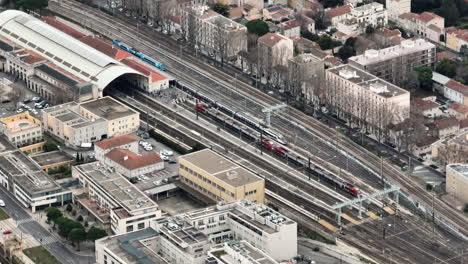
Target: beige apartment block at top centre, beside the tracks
<point>212,32</point>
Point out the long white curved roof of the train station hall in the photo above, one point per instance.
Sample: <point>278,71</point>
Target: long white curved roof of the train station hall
<point>60,48</point>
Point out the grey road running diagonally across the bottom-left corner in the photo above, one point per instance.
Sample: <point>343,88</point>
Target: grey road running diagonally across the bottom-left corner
<point>29,226</point>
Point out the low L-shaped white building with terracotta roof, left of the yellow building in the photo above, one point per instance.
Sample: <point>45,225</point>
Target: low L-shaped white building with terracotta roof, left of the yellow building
<point>131,164</point>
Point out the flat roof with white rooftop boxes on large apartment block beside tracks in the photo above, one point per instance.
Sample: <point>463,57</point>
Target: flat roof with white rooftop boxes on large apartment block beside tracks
<point>367,81</point>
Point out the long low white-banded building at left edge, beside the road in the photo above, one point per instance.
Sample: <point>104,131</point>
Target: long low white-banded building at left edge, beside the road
<point>29,184</point>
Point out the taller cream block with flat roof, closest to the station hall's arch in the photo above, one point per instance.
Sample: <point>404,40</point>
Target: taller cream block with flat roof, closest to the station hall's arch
<point>120,118</point>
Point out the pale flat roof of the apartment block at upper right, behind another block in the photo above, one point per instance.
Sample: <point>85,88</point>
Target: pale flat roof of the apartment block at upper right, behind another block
<point>406,47</point>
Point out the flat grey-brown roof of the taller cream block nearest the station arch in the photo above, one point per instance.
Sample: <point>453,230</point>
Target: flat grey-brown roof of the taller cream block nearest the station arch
<point>107,108</point>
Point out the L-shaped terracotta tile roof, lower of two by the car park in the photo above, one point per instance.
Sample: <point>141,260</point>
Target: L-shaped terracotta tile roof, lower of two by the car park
<point>131,161</point>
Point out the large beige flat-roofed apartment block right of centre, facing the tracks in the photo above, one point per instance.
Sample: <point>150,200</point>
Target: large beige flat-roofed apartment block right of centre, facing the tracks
<point>358,95</point>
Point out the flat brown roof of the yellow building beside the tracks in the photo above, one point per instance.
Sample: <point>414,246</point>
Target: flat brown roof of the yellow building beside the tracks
<point>221,168</point>
